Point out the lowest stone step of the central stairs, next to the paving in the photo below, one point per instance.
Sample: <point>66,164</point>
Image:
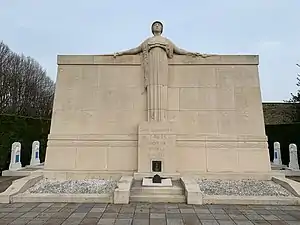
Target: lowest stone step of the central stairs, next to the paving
<point>158,198</point>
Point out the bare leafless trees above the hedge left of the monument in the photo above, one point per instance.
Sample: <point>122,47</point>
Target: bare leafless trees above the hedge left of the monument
<point>25,88</point>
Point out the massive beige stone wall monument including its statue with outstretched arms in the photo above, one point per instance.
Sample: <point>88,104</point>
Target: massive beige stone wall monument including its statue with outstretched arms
<point>157,109</point>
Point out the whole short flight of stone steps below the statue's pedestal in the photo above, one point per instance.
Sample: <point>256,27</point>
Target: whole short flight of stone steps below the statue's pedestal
<point>174,194</point>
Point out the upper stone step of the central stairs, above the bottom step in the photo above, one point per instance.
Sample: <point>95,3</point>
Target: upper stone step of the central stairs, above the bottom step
<point>157,190</point>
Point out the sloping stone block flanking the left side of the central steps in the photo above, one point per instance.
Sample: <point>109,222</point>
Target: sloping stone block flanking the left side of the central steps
<point>122,192</point>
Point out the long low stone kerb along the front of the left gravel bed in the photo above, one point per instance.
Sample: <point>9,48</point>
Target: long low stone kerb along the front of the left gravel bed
<point>68,198</point>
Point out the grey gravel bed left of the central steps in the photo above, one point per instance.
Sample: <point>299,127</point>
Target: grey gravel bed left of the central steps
<point>90,186</point>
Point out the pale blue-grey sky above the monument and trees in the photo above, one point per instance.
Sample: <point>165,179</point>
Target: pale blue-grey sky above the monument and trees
<point>44,28</point>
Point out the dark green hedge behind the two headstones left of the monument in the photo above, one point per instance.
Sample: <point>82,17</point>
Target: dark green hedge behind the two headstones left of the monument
<point>24,130</point>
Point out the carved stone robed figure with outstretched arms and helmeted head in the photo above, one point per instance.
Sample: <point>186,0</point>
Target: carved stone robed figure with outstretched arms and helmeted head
<point>156,51</point>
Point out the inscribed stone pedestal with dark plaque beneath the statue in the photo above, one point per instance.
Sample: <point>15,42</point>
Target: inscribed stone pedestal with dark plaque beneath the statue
<point>156,148</point>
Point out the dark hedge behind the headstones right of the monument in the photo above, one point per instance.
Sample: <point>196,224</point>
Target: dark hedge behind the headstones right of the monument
<point>285,134</point>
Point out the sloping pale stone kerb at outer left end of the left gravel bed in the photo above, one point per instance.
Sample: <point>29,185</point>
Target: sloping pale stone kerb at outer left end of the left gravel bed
<point>19,186</point>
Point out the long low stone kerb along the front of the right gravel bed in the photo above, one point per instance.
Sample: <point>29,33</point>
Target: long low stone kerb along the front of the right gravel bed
<point>250,200</point>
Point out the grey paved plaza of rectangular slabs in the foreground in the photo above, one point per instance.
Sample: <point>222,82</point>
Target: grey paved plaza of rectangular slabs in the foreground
<point>143,213</point>
